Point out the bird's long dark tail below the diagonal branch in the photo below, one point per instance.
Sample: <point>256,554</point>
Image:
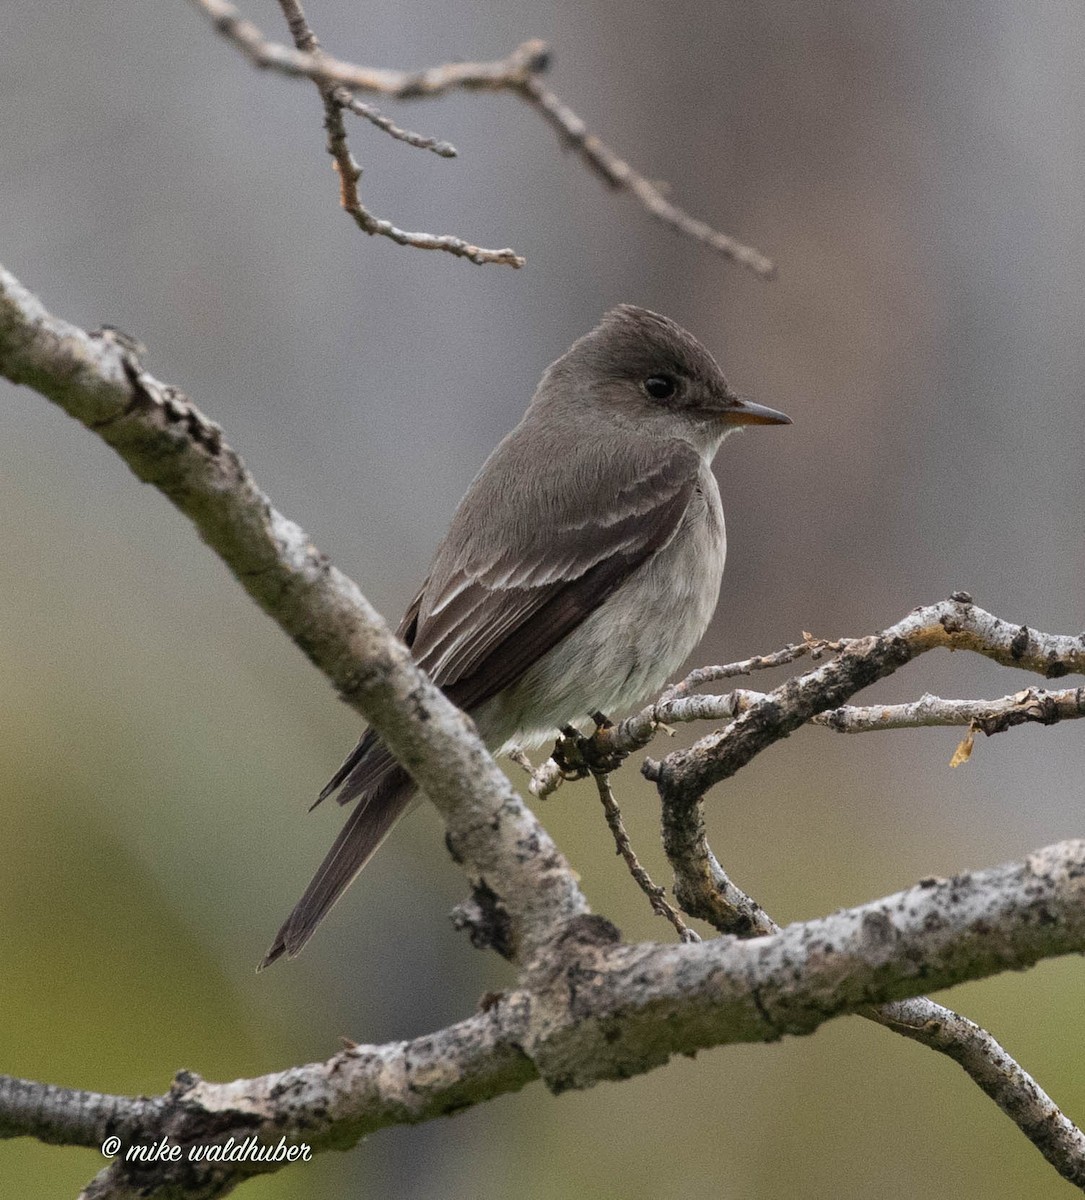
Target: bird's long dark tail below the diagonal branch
<point>377,811</point>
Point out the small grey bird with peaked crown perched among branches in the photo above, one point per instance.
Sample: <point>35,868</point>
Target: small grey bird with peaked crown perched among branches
<point>582,568</point>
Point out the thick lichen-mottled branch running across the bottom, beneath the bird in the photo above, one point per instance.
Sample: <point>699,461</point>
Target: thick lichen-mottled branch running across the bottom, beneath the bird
<point>596,1010</point>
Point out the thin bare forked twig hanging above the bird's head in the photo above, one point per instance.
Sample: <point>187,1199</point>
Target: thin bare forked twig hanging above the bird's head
<point>518,74</point>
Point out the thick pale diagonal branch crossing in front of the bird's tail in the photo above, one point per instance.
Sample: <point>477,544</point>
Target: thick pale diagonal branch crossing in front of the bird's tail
<point>166,441</point>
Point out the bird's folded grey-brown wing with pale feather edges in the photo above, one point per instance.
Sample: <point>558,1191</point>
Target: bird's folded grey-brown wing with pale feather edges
<point>490,610</point>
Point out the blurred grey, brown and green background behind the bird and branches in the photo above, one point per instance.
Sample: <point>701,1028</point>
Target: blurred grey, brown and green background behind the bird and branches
<point>918,172</point>
